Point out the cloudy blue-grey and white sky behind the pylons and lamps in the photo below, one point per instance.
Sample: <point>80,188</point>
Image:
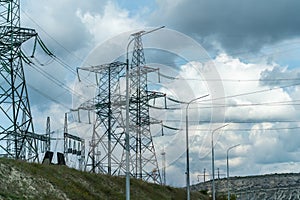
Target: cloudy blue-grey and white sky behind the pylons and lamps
<point>253,86</point>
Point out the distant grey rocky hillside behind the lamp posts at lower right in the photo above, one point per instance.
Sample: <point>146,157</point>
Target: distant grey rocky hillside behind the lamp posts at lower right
<point>274,186</point>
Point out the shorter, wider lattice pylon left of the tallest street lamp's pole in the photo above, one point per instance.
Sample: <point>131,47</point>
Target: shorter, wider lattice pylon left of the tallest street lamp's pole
<point>108,137</point>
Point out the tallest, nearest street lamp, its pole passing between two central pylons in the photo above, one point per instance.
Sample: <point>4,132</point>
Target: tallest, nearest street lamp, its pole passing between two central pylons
<point>127,111</point>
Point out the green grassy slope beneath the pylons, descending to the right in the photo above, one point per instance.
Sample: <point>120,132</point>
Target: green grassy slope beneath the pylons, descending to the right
<point>20,180</point>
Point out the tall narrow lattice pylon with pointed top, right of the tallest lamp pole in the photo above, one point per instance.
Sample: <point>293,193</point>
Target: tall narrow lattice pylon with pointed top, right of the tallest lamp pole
<point>144,157</point>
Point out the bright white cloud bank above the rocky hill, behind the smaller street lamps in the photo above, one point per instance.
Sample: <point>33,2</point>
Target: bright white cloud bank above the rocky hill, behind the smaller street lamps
<point>263,140</point>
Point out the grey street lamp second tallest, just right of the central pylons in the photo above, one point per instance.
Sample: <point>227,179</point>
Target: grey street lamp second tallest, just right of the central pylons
<point>187,146</point>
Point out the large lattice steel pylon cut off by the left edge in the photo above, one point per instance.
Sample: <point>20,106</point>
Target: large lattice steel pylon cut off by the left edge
<point>17,138</point>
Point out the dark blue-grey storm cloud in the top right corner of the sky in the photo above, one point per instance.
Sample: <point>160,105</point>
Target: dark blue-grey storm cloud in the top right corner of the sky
<point>234,24</point>
